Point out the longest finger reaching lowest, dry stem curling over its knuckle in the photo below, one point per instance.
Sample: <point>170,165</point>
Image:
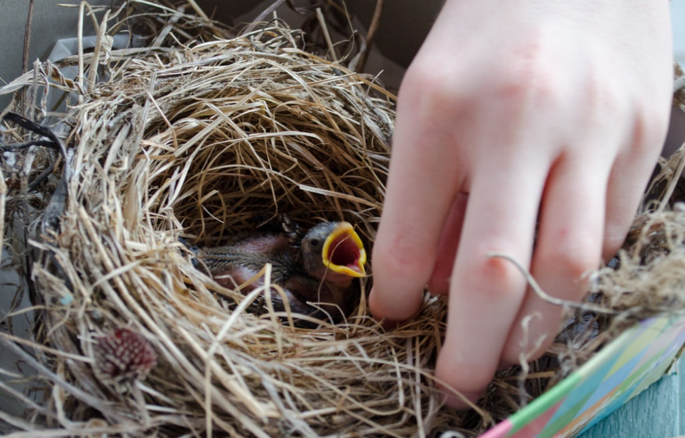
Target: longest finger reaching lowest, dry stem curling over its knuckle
<point>485,293</point>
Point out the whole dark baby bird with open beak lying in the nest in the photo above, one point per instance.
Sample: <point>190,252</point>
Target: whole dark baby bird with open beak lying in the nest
<point>317,268</point>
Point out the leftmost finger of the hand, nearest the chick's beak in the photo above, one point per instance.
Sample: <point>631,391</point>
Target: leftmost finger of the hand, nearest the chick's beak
<point>423,180</point>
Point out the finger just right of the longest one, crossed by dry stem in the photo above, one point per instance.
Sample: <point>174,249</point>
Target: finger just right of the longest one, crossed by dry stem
<point>568,247</point>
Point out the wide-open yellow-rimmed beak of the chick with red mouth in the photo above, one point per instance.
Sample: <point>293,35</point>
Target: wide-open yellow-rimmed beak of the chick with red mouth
<point>343,251</point>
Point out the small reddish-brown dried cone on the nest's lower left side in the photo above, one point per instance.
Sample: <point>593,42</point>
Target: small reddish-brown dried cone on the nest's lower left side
<point>123,356</point>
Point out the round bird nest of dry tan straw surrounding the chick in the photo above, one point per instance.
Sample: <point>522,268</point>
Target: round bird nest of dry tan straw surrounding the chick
<point>204,141</point>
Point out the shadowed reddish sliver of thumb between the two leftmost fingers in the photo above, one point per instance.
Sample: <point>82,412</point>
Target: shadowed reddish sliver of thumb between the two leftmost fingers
<point>447,249</point>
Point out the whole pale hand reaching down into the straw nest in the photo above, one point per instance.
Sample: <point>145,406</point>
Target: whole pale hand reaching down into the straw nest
<point>528,128</point>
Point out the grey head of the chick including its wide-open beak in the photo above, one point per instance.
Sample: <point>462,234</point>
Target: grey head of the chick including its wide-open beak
<point>333,251</point>
